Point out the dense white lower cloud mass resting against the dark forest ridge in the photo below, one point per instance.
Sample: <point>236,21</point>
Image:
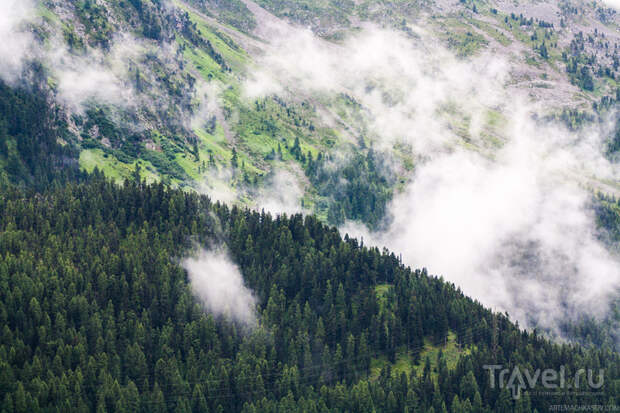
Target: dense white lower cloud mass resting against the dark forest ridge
<point>517,232</point>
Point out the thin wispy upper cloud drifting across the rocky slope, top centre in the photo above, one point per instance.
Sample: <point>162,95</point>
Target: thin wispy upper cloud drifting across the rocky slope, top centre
<point>405,85</point>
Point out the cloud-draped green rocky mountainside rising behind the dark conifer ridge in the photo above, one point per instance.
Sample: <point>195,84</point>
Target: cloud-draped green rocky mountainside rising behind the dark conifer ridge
<point>352,111</point>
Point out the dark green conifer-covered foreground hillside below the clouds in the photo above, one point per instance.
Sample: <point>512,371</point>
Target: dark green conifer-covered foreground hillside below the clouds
<point>98,315</point>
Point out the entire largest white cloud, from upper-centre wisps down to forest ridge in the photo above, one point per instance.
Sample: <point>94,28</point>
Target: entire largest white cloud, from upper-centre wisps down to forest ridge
<point>499,202</point>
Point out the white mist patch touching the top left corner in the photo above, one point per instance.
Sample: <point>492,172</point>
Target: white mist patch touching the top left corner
<point>94,74</point>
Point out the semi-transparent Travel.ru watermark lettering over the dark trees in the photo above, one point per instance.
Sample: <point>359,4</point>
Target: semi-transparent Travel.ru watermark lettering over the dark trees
<point>518,379</point>
